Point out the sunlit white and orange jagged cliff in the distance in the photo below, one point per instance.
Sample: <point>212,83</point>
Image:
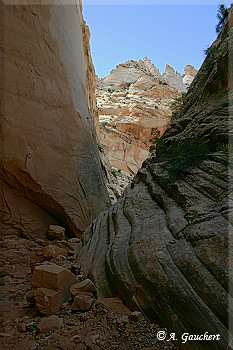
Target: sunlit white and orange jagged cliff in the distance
<point>134,98</point>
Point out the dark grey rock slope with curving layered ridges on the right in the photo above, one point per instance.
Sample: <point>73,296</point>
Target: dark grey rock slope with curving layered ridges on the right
<point>164,245</point>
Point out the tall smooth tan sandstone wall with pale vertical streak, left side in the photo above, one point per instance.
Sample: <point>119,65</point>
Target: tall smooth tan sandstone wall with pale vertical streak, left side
<point>50,167</point>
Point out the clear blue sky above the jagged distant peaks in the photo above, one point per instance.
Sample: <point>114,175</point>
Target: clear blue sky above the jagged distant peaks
<point>173,33</point>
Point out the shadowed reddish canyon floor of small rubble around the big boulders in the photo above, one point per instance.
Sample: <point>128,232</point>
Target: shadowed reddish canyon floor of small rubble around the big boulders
<point>107,325</point>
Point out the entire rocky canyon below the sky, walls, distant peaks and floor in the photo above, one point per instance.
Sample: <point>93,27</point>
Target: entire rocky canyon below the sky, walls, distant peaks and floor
<point>75,271</point>
